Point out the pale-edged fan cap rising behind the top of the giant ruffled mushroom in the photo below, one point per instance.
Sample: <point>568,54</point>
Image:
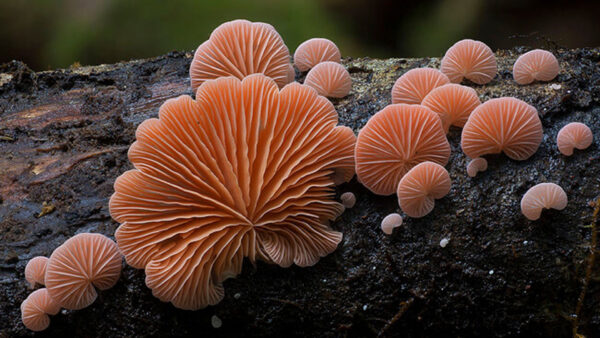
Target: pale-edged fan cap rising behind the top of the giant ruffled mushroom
<point>240,48</point>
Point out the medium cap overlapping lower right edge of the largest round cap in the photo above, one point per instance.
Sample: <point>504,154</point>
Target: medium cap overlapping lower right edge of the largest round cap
<point>421,186</point>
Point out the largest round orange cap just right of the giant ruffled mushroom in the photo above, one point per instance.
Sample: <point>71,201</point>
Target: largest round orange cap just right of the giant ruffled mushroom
<point>393,141</point>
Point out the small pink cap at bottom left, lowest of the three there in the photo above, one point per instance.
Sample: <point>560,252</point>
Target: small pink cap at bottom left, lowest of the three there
<point>36,308</point>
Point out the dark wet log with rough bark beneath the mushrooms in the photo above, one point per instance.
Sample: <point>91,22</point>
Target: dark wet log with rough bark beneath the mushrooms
<point>64,137</point>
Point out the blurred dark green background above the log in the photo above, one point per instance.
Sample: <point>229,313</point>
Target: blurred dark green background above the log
<point>48,34</point>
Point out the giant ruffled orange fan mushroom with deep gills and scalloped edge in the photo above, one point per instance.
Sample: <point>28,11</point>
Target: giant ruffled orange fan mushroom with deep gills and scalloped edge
<point>246,170</point>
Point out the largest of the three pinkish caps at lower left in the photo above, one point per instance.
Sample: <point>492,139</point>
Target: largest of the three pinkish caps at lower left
<point>82,262</point>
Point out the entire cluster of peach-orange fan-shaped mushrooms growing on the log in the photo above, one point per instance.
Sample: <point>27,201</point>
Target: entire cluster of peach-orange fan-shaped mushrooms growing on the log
<point>248,168</point>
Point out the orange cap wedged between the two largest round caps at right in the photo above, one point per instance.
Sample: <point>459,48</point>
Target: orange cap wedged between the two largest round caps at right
<point>453,103</point>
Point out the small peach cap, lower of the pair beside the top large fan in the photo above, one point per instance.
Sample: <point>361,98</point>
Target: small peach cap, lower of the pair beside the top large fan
<point>329,79</point>
